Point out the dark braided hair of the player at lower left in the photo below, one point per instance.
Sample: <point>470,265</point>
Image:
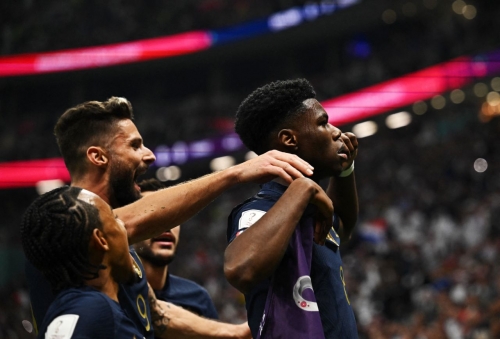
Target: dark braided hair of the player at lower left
<point>55,232</point>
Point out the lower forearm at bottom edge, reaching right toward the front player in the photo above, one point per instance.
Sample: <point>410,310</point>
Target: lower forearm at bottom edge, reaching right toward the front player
<point>174,322</point>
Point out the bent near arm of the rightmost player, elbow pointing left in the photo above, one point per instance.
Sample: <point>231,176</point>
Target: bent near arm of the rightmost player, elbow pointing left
<point>254,255</point>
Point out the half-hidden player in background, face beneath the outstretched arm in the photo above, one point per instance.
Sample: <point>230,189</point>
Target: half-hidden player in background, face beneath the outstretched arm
<point>196,314</point>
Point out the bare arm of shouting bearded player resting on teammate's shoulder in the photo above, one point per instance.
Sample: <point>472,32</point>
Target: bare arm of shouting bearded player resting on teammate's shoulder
<point>170,207</point>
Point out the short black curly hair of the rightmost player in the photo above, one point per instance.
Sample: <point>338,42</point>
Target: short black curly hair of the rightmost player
<point>267,108</point>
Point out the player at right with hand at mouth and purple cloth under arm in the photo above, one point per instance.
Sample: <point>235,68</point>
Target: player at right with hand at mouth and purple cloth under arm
<point>289,283</point>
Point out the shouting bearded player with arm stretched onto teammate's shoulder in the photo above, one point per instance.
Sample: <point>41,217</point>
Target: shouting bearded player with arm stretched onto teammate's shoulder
<point>104,153</point>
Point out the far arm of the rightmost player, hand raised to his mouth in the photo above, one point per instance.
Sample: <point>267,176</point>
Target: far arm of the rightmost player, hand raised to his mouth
<point>342,191</point>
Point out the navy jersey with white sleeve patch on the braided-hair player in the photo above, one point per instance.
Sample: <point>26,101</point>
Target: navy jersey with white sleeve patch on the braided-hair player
<point>85,313</point>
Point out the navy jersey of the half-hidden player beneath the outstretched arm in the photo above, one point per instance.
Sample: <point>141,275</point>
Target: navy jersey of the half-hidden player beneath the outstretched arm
<point>189,295</point>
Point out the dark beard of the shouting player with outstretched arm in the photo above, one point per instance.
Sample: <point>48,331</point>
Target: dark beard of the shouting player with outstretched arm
<point>121,187</point>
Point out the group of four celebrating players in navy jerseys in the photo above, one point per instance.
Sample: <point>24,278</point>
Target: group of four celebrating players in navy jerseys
<point>98,250</point>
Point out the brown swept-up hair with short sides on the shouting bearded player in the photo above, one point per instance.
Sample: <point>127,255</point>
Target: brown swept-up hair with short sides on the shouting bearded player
<point>88,124</point>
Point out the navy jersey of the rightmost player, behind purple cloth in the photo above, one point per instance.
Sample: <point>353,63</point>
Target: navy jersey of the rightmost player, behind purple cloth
<point>337,316</point>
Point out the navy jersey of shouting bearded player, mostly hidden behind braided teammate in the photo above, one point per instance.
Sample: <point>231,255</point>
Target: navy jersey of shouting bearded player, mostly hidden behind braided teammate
<point>133,298</point>
